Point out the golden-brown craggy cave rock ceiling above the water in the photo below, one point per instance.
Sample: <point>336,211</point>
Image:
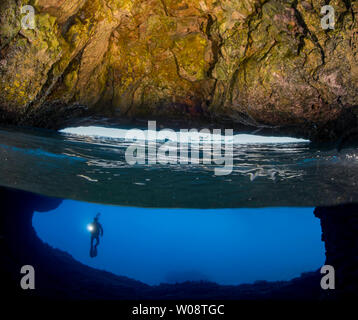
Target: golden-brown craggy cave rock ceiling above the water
<point>258,62</point>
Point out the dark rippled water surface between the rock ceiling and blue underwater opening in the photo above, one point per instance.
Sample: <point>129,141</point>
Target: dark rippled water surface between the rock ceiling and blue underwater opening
<point>93,168</point>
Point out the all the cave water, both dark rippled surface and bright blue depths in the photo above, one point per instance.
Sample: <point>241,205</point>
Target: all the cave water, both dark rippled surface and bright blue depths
<point>210,241</point>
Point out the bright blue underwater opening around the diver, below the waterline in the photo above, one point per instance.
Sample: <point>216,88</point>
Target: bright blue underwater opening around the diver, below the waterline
<point>227,246</point>
